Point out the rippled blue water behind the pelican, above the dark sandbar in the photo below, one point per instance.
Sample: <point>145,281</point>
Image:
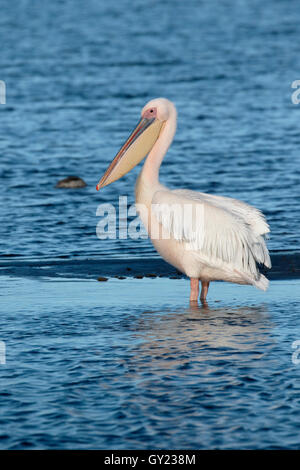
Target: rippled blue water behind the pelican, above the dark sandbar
<point>77,77</point>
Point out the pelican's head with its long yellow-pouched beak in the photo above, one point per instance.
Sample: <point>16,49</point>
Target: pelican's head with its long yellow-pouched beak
<point>140,141</point>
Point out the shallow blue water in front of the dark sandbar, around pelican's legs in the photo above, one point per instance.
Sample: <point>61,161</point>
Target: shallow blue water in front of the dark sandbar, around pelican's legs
<point>88,369</point>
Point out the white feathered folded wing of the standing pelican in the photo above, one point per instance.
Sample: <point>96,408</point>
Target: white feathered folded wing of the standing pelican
<point>222,232</point>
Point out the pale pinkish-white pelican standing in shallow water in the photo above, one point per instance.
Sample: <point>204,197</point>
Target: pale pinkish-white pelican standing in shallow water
<point>206,237</point>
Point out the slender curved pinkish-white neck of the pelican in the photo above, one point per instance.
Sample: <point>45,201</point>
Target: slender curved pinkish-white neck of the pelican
<point>150,170</point>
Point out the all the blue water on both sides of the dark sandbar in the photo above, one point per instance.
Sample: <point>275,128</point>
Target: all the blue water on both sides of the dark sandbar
<point>96,372</point>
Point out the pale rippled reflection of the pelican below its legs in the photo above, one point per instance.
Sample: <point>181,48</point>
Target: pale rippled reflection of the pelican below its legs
<point>172,339</point>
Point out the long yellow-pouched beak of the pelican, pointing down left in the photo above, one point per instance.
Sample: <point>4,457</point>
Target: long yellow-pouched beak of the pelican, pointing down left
<point>136,147</point>
